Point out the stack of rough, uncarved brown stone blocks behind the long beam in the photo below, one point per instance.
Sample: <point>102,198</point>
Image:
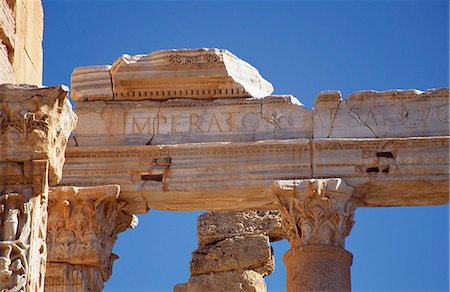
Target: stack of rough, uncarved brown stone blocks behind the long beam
<point>234,252</point>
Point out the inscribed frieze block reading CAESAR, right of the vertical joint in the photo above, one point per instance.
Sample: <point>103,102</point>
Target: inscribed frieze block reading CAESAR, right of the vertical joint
<point>372,114</point>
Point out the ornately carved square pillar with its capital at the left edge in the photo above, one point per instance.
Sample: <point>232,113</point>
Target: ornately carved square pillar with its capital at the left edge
<point>35,124</point>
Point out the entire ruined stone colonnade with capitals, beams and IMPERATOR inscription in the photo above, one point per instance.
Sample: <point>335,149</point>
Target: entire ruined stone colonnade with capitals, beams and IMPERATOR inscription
<point>198,129</point>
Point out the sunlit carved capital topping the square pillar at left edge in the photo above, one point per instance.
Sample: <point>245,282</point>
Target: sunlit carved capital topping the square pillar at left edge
<point>35,124</point>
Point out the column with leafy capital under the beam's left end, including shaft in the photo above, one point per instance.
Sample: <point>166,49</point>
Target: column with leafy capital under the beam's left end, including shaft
<point>83,225</point>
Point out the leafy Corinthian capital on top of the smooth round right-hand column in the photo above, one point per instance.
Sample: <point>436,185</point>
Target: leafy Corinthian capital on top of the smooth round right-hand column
<point>315,211</point>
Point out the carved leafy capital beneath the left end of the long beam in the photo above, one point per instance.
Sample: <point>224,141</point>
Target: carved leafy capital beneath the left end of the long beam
<point>83,226</point>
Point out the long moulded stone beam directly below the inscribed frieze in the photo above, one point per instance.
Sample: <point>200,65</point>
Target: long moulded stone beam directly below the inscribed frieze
<point>238,176</point>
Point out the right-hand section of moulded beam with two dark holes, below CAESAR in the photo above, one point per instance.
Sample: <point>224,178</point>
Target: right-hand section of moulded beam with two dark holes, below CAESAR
<point>386,171</point>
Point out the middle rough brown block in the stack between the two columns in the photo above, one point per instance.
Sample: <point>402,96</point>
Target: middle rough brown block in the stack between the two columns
<point>236,253</point>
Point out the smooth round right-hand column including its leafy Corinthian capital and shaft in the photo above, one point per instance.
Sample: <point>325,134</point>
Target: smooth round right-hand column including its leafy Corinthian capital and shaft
<point>317,215</point>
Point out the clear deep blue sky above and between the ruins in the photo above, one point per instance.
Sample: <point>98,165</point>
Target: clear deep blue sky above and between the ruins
<point>301,48</point>
